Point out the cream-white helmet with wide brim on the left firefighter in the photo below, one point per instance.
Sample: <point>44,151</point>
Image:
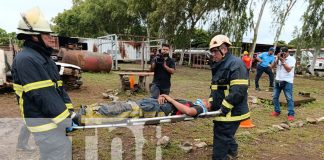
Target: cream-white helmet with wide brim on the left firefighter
<point>33,23</point>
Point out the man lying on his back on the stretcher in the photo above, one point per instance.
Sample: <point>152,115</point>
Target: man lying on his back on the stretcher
<point>145,108</point>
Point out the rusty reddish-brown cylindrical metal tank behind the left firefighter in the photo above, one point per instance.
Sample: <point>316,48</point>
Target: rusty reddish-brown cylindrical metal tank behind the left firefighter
<point>88,61</point>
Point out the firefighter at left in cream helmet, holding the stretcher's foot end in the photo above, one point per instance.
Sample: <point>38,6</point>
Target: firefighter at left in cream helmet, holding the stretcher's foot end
<point>45,106</point>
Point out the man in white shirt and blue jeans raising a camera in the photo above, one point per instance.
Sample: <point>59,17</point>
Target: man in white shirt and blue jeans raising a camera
<point>285,65</point>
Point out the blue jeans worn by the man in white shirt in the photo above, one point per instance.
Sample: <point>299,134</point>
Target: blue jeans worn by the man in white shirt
<point>288,91</point>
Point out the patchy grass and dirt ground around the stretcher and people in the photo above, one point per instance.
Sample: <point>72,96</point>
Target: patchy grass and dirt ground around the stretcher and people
<point>298,143</point>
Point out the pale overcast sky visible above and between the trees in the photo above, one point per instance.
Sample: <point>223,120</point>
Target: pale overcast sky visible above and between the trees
<point>10,14</point>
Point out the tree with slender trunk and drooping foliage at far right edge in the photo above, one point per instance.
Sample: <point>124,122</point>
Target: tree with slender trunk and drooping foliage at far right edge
<point>313,27</point>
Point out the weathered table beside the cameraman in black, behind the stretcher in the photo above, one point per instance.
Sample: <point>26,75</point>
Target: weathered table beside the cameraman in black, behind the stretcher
<point>143,79</point>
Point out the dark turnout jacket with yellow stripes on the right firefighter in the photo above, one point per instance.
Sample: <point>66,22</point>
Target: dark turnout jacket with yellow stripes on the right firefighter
<point>229,89</point>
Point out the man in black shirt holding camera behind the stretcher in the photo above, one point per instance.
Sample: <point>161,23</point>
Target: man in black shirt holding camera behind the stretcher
<point>163,66</point>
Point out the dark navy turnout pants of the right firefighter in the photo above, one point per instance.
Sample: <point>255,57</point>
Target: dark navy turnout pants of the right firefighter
<point>224,141</point>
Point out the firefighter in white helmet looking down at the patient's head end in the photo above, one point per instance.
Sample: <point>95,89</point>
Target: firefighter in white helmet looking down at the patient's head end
<point>228,95</point>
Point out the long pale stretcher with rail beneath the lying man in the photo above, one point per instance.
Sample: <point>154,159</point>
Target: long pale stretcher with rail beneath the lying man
<point>151,121</point>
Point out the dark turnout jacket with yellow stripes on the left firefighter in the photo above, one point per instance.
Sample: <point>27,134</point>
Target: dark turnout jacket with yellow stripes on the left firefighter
<point>43,102</point>
